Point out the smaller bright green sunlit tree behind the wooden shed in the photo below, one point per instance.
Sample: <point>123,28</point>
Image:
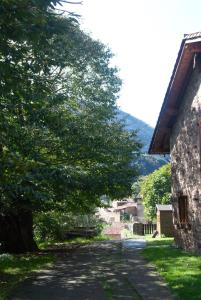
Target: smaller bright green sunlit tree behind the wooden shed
<point>155,188</point>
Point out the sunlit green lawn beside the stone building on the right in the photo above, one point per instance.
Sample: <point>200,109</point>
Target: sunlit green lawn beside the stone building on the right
<point>181,270</point>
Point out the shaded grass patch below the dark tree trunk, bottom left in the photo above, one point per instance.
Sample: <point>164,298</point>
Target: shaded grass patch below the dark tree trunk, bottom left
<point>16,268</point>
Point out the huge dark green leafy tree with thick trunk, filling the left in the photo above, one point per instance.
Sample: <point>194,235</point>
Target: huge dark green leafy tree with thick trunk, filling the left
<point>60,144</point>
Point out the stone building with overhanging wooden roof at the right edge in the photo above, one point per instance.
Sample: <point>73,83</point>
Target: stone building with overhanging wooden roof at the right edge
<point>178,132</point>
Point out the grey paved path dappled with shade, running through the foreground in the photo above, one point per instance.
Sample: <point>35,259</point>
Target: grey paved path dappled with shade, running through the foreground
<point>102,271</point>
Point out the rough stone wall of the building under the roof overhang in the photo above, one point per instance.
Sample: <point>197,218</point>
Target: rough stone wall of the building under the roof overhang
<point>186,165</point>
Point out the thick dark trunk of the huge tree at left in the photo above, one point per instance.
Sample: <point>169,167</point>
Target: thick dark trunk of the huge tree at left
<point>16,232</point>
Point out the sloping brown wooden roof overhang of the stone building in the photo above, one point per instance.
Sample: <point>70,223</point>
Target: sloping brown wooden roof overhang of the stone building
<point>190,46</point>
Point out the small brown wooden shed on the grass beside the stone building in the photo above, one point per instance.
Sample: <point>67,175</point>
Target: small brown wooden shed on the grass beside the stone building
<point>164,220</point>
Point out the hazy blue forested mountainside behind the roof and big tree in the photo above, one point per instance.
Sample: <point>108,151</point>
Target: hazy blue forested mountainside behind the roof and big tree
<point>147,163</point>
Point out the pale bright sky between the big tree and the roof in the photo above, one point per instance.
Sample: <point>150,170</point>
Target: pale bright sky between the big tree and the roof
<point>145,37</point>
